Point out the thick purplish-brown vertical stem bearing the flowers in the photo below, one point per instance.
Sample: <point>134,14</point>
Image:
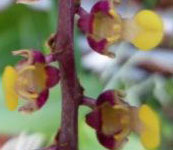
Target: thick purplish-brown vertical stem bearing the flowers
<point>72,92</point>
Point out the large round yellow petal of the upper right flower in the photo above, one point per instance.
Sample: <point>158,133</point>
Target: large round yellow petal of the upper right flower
<point>150,30</point>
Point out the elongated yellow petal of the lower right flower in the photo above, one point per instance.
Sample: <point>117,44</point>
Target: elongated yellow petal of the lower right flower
<point>150,134</point>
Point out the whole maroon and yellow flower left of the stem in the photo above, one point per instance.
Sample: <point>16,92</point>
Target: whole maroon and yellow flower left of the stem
<point>30,80</point>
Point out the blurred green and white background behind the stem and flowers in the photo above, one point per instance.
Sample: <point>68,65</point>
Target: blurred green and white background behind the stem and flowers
<point>147,77</point>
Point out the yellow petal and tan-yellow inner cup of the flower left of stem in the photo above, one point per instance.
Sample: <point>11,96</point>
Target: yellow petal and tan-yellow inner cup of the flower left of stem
<point>27,83</point>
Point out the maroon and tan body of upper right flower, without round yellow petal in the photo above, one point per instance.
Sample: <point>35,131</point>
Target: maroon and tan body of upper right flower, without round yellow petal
<point>102,26</point>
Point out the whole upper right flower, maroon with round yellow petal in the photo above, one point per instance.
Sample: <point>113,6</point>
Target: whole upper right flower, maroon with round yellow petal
<point>104,27</point>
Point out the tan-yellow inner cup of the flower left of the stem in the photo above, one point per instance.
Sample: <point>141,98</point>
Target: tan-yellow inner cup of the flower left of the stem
<point>31,81</point>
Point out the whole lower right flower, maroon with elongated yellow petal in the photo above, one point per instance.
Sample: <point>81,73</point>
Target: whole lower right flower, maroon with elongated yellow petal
<point>114,119</point>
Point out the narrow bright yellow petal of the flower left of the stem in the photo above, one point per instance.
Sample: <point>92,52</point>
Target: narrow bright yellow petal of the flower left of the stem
<point>8,80</point>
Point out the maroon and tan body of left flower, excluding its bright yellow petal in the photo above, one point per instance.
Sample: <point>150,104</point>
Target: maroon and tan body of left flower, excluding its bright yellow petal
<point>34,78</point>
